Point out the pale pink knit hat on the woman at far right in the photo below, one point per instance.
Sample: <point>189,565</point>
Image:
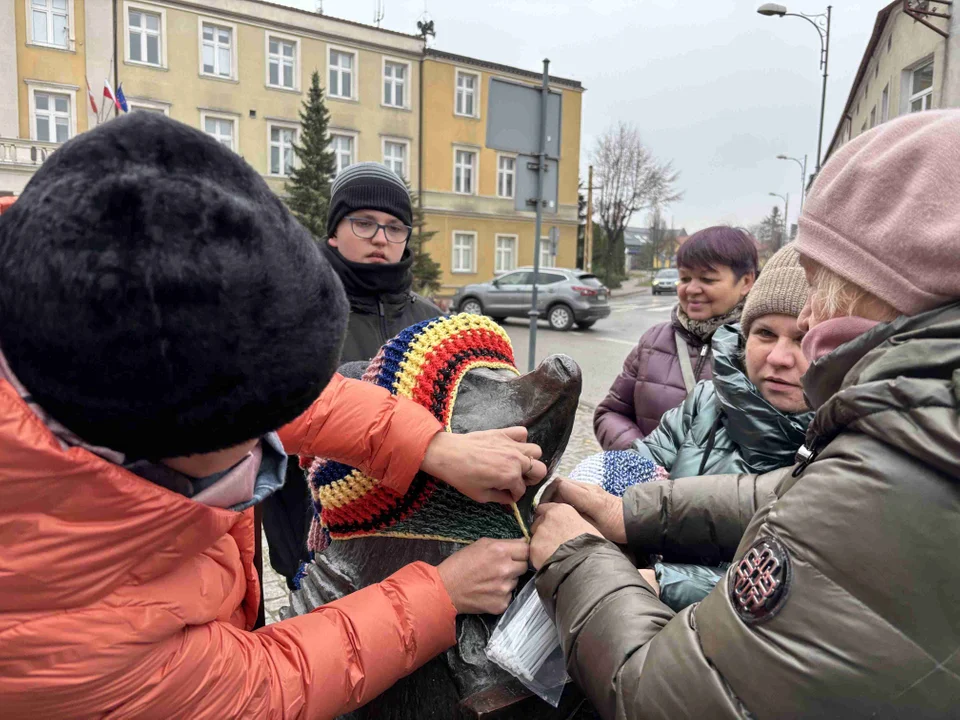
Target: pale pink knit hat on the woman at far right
<point>885,212</point>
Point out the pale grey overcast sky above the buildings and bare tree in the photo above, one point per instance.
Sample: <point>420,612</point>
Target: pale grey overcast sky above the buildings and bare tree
<point>710,84</point>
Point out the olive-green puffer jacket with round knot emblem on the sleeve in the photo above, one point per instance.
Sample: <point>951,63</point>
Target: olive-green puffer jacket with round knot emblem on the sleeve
<point>842,598</point>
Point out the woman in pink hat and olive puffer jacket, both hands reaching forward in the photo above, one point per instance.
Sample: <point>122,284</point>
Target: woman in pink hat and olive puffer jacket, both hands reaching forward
<point>842,597</point>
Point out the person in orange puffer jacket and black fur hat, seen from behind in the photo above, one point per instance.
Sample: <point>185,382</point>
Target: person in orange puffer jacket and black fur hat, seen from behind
<point>151,343</point>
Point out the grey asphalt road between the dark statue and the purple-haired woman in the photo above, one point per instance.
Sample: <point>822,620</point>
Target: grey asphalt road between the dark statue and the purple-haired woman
<point>601,350</point>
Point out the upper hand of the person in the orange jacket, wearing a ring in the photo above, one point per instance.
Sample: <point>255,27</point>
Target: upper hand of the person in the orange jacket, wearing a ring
<point>486,466</point>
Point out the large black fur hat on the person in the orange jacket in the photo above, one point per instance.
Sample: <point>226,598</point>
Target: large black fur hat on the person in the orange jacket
<point>158,299</point>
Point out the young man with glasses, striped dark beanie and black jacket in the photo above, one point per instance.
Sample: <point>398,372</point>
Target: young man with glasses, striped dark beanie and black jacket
<point>368,228</point>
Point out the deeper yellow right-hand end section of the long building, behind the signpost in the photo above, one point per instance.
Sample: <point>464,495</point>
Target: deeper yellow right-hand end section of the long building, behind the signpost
<point>469,189</point>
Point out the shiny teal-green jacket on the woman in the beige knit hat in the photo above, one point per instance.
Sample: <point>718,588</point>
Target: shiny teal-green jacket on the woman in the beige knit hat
<point>726,425</point>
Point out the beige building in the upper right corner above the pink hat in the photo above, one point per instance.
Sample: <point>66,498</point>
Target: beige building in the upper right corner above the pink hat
<point>908,67</point>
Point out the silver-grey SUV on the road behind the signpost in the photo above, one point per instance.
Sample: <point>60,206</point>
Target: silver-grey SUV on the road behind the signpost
<point>564,297</point>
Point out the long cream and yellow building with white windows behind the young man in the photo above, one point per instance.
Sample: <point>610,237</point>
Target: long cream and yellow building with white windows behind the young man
<point>240,70</point>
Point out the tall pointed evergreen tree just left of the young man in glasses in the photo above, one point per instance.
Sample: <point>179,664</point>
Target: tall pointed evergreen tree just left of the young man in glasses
<point>309,187</point>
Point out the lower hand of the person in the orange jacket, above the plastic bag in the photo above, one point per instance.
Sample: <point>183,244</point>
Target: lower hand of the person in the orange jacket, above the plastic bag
<point>481,578</point>
